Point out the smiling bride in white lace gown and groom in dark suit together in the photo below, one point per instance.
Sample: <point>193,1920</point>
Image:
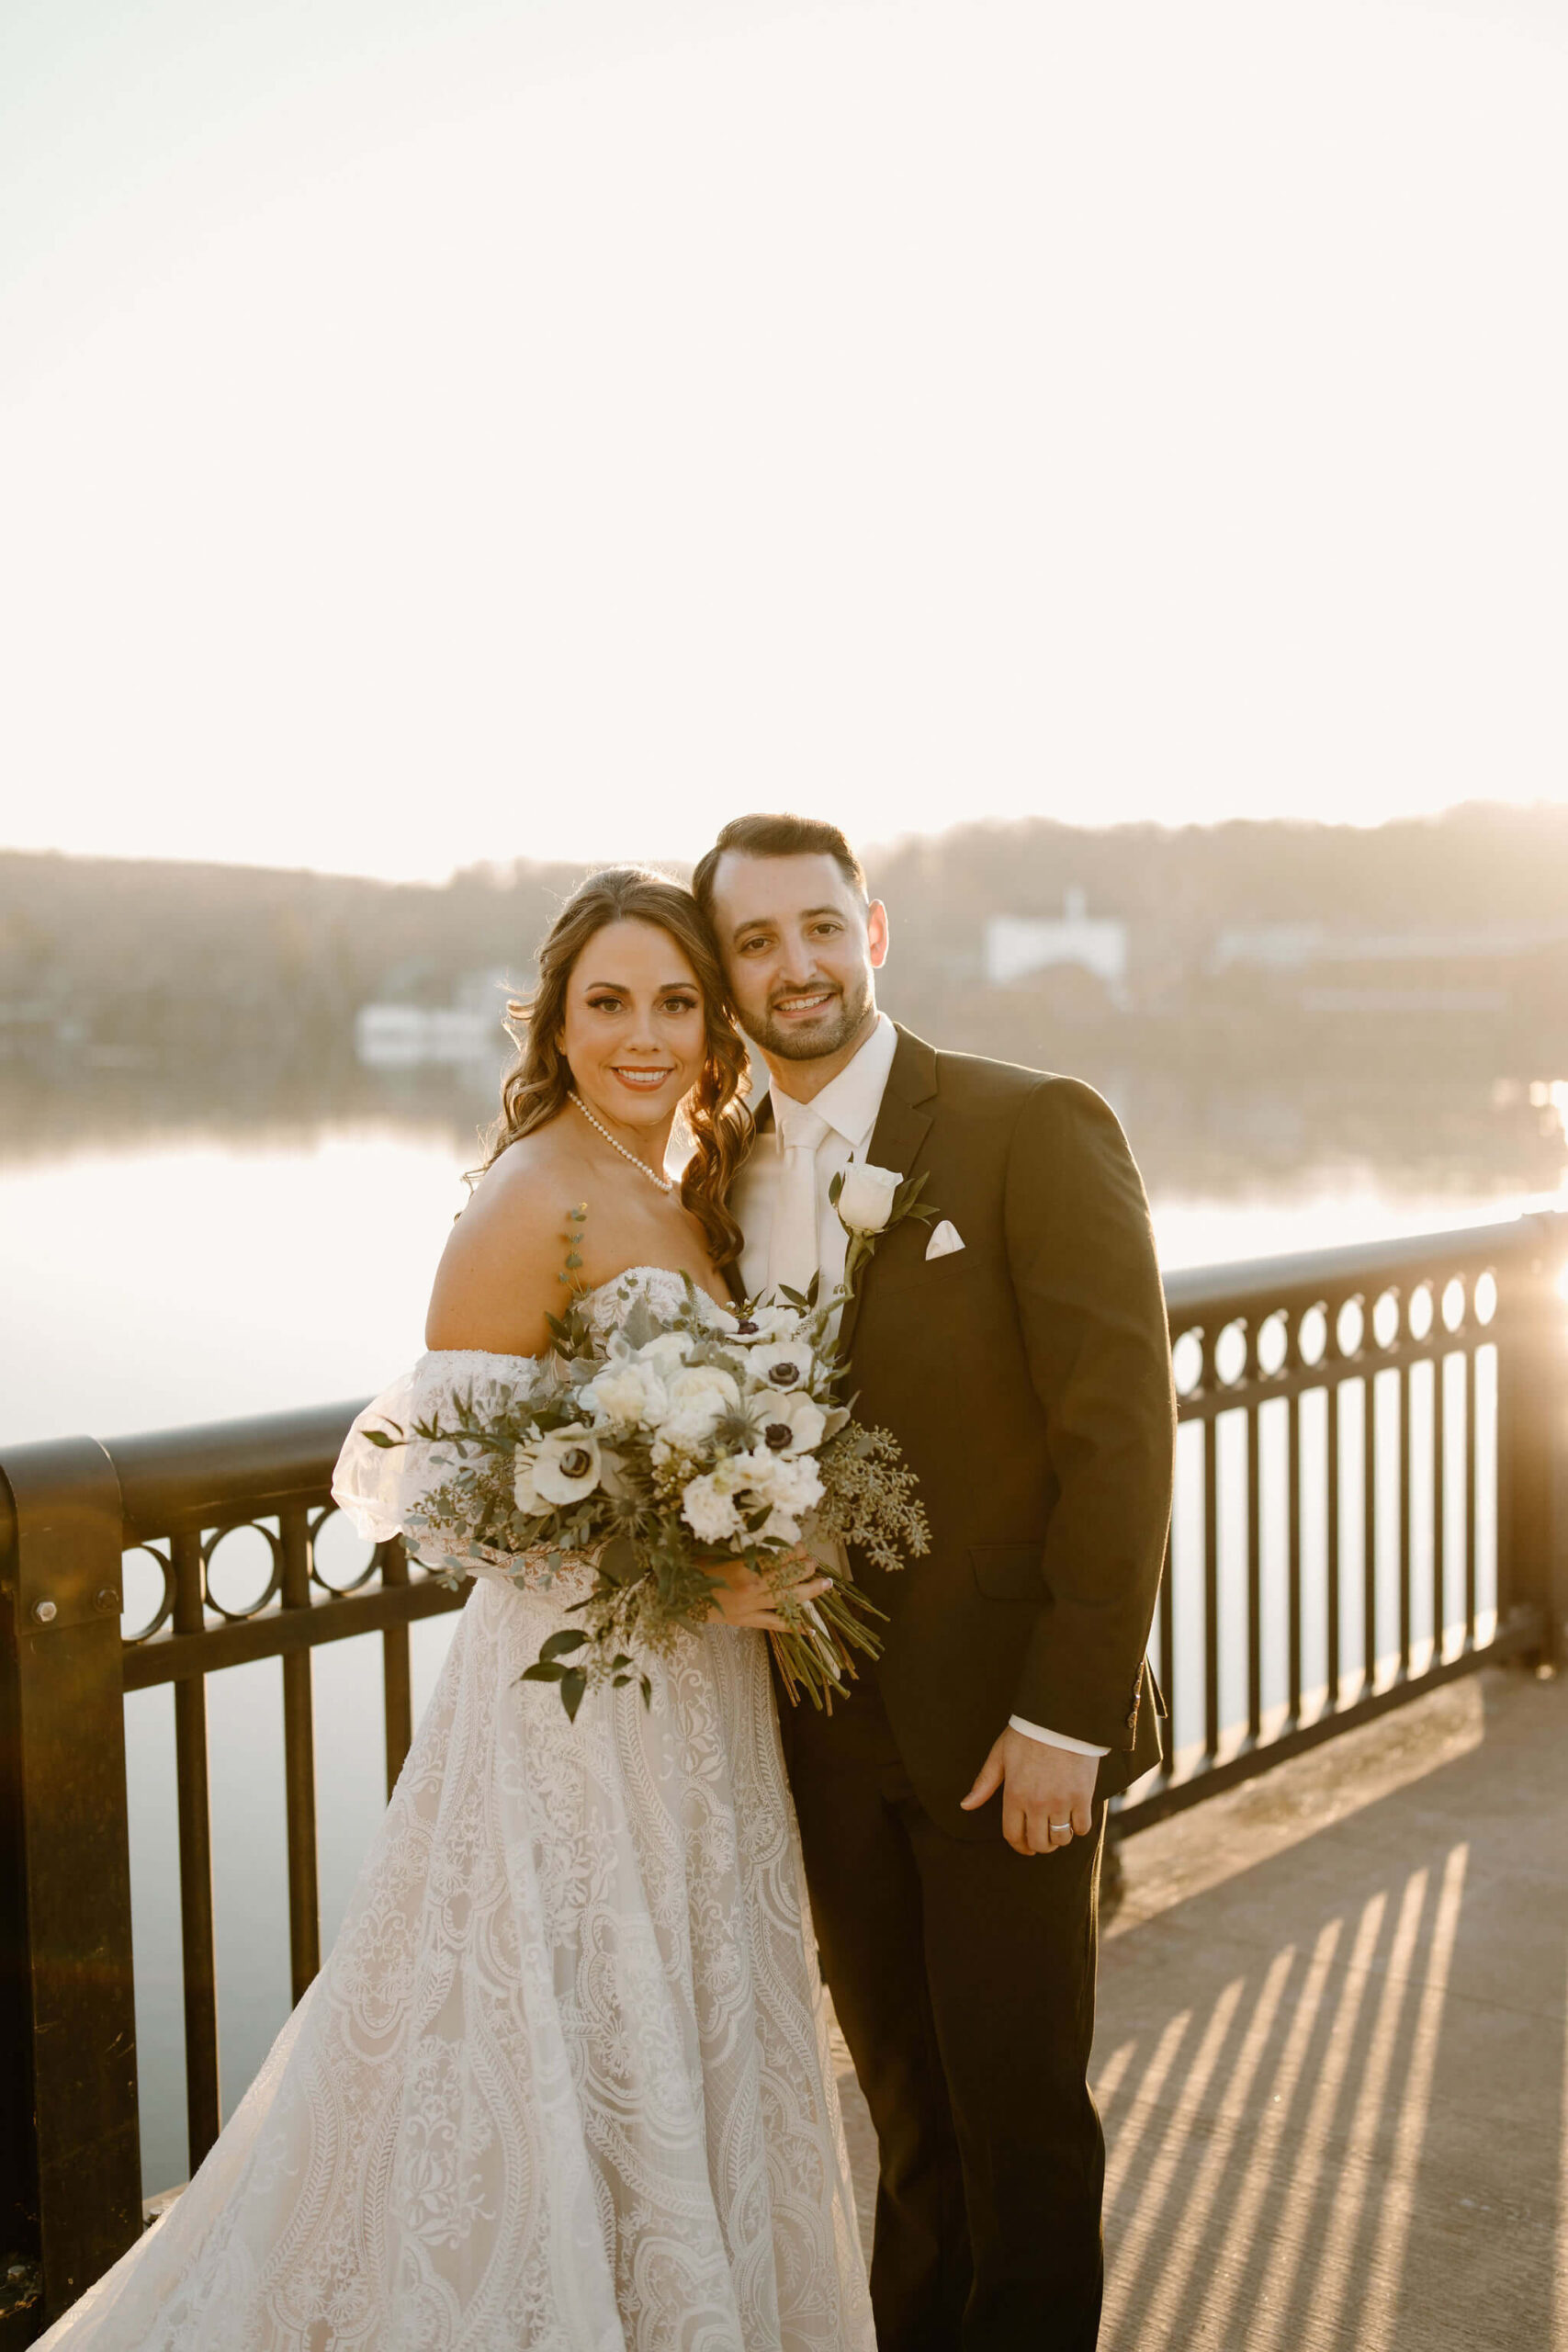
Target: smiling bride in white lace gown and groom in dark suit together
<point>565,2078</point>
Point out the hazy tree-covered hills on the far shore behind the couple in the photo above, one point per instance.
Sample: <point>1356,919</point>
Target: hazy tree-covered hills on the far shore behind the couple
<point>123,961</point>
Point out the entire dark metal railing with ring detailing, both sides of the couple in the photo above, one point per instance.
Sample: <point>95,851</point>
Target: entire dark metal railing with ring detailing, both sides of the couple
<point>1362,1431</point>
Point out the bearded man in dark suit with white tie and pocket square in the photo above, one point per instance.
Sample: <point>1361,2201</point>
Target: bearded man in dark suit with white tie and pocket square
<point>953,1810</point>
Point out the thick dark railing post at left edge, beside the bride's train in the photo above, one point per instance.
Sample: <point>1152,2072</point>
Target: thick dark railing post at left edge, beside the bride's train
<point>72,2156</point>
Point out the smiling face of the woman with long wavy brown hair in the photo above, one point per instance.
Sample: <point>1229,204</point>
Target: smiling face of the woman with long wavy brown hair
<point>634,1029</point>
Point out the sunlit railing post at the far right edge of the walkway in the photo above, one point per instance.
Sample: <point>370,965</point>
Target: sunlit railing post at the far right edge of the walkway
<point>1534,1434</point>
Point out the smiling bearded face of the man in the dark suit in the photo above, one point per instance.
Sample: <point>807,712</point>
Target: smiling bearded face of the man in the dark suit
<point>800,949</point>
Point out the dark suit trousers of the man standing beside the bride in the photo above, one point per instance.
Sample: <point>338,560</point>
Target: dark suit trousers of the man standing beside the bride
<point>965,1982</point>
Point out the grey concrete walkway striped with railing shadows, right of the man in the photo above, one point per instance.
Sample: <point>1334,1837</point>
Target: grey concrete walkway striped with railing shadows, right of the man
<point>1332,2047</point>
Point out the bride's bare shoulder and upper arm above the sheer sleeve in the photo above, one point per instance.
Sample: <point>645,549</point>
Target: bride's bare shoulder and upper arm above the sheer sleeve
<point>500,1271</point>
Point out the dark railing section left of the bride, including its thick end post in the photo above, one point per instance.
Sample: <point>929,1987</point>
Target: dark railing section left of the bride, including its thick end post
<point>74,1521</point>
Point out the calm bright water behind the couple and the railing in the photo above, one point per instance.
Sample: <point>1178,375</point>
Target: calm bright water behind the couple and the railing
<point>187,1281</point>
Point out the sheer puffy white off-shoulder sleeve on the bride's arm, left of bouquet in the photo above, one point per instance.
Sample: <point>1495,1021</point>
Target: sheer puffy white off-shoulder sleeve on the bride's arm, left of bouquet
<point>382,1488</point>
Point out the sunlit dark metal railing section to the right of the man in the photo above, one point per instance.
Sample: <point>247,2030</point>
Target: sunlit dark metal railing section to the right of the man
<point>1407,1403</point>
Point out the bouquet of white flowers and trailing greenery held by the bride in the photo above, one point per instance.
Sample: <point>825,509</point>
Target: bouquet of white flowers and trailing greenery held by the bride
<point>671,1448</point>
